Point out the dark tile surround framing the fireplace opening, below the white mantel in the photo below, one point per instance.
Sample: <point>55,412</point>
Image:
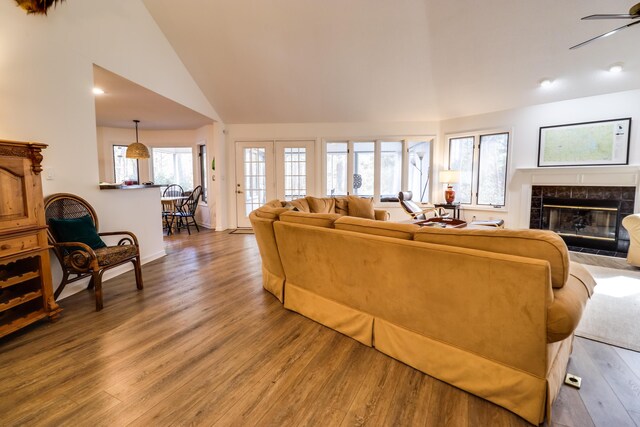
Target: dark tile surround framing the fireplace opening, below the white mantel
<point>624,194</point>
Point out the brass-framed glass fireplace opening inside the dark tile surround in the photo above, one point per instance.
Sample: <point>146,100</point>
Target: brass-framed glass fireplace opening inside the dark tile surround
<point>586,223</point>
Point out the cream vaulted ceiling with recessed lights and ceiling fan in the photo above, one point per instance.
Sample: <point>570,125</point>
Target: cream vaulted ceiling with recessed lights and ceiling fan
<point>285,61</point>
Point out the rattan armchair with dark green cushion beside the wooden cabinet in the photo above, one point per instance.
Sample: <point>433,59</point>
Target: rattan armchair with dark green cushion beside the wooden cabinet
<point>73,233</point>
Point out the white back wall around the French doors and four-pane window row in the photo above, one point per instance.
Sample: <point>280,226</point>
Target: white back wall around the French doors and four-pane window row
<point>316,132</point>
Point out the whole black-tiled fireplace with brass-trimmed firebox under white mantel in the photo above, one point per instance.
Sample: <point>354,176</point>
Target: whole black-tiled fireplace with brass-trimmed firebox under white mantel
<point>588,218</point>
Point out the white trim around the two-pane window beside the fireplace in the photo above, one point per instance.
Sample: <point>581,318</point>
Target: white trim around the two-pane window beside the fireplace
<point>476,164</point>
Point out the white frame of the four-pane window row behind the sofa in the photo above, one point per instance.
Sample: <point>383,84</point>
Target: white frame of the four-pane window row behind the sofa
<point>407,142</point>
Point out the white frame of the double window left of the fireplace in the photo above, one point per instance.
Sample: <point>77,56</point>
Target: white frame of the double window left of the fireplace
<point>475,171</point>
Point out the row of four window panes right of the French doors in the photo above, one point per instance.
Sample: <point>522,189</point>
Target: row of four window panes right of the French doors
<point>380,168</point>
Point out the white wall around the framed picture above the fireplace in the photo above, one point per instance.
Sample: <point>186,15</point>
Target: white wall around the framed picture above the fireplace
<point>525,123</point>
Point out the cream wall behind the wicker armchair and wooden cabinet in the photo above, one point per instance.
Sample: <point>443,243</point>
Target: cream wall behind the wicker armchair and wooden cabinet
<point>46,64</point>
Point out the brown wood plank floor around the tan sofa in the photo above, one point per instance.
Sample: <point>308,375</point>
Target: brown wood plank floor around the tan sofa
<point>203,344</point>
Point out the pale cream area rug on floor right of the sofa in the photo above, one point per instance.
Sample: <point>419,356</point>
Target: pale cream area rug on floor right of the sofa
<point>612,315</point>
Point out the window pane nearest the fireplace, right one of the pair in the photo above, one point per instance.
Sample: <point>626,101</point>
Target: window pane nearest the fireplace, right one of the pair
<point>492,171</point>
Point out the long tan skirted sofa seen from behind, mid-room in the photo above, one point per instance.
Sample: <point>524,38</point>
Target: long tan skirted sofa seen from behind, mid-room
<point>490,311</point>
